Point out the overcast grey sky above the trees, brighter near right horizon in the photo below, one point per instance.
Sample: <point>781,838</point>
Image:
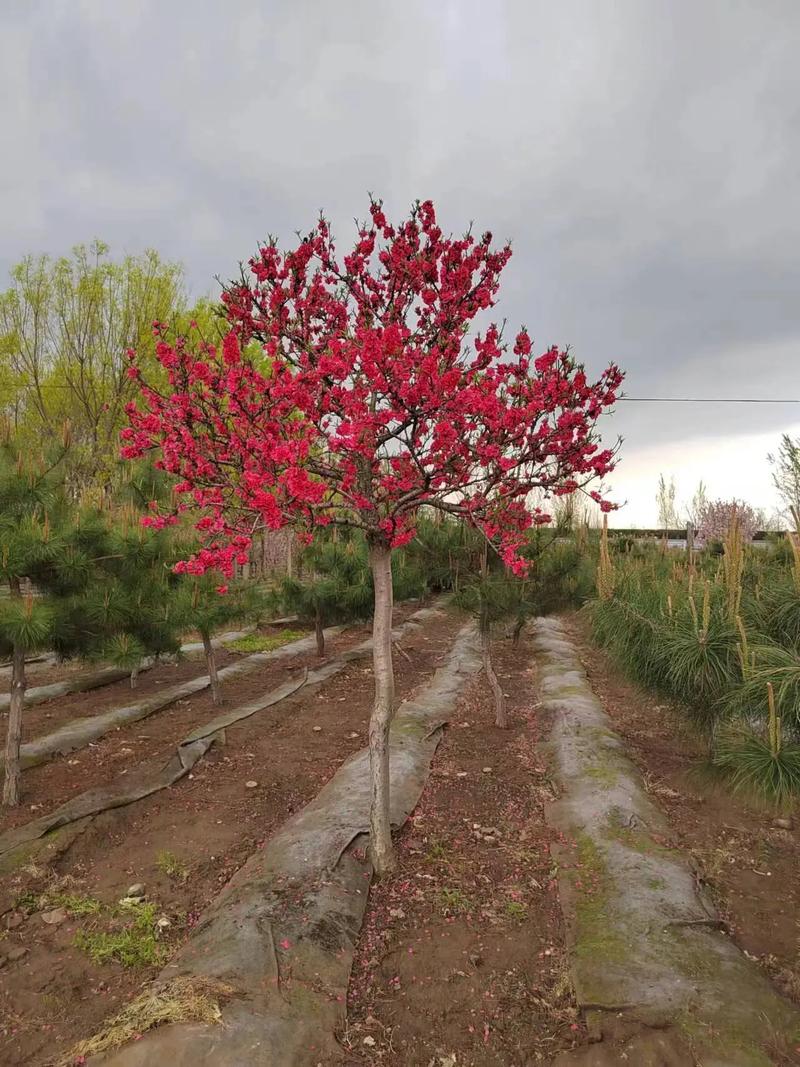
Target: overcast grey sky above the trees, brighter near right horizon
<point>644,156</point>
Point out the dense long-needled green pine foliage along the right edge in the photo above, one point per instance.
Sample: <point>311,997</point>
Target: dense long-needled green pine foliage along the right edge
<point>669,627</point>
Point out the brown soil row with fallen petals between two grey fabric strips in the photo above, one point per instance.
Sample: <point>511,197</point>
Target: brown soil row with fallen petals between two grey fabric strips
<point>461,959</point>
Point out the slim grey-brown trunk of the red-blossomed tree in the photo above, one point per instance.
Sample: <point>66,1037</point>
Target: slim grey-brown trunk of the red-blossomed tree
<point>380,825</point>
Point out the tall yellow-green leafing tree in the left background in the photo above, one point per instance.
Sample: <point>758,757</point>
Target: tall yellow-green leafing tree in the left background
<point>66,326</point>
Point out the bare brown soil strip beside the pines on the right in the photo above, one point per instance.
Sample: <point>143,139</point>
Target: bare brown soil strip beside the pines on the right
<point>751,868</point>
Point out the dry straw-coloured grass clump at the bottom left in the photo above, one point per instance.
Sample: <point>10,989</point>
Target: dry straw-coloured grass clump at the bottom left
<point>183,1000</point>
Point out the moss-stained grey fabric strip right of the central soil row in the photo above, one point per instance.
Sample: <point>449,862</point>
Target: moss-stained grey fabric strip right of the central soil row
<point>654,970</point>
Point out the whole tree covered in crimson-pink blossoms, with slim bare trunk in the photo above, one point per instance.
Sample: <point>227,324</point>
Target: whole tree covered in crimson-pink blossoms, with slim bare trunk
<point>346,393</point>
